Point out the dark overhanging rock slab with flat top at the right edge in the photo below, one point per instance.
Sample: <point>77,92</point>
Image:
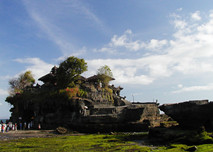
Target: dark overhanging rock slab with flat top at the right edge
<point>191,114</point>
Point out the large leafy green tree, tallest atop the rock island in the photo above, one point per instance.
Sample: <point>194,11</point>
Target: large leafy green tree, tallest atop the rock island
<point>69,71</point>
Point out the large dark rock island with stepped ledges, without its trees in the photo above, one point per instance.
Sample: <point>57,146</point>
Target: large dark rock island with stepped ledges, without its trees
<point>87,107</point>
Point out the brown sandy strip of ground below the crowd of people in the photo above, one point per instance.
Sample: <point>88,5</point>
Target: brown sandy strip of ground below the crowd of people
<point>21,134</point>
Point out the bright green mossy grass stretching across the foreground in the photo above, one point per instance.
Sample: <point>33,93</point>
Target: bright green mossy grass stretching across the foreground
<point>92,142</point>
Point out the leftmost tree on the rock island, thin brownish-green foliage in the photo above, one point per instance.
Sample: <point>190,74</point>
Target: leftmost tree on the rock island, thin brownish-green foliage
<point>18,84</point>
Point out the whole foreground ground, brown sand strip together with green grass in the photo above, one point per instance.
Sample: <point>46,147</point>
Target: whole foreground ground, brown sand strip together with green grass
<point>48,141</point>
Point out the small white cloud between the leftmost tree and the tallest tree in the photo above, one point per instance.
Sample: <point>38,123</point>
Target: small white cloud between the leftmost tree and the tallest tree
<point>37,66</point>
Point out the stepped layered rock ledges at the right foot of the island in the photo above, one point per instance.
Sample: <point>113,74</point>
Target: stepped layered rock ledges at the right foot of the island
<point>132,117</point>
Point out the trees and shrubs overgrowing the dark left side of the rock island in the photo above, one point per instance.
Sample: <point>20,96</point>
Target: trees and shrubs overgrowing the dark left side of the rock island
<point>62,86</point>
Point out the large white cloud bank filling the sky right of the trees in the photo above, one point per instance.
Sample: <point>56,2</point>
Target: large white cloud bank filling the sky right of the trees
<point>189,52</point>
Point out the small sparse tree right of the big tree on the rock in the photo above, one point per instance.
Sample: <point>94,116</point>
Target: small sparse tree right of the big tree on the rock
<point>105,75</point>
